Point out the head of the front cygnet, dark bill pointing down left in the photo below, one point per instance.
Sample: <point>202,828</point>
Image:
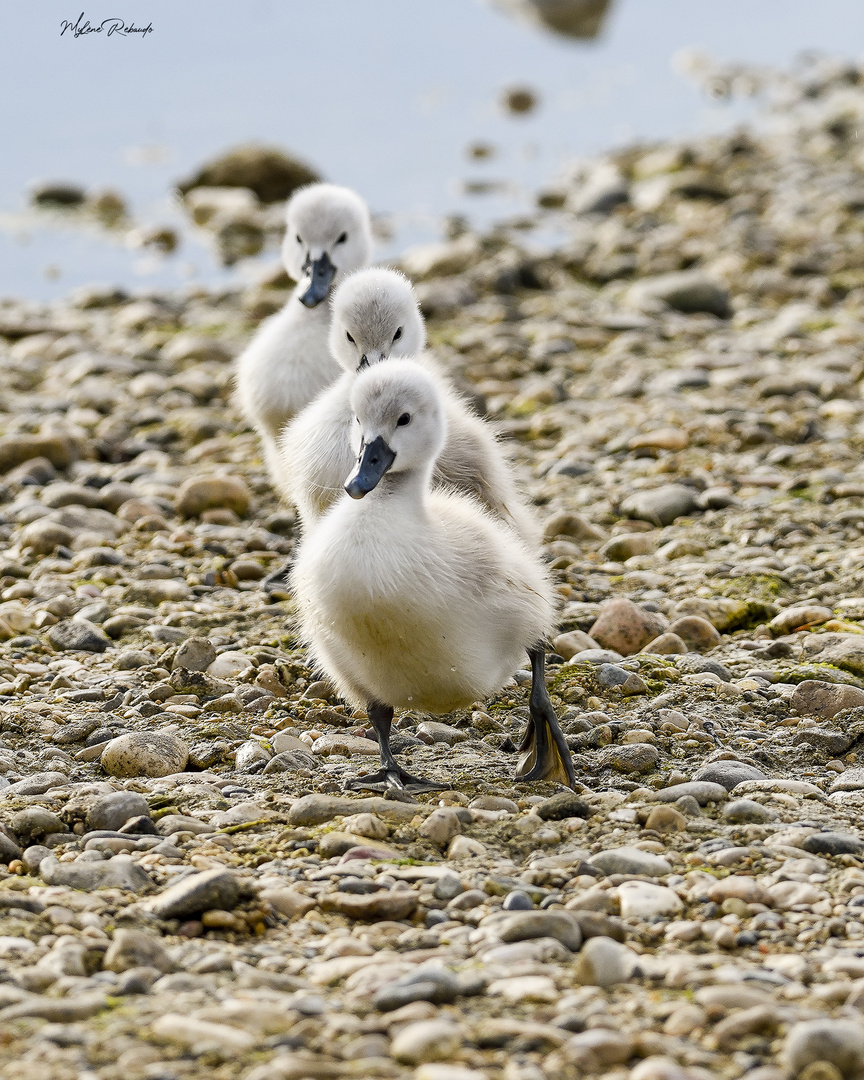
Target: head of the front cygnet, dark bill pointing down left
<point>400,427</point>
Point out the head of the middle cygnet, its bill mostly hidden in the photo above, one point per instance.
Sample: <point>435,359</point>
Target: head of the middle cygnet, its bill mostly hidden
<point>375,316</point>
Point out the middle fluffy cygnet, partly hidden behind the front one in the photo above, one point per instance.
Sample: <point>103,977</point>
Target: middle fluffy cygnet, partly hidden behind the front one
<point>375,318</point>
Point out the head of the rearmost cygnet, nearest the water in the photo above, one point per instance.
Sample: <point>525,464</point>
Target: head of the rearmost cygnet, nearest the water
<point>329,235</point>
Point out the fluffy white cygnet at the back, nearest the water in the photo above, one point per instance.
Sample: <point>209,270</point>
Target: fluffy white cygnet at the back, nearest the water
<point>289,363</point>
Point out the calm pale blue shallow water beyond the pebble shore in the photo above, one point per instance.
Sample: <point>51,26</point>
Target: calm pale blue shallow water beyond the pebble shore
<point>383,96</point>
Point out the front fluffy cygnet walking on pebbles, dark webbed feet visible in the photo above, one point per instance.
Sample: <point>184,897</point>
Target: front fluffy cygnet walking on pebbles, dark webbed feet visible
<point>415,598</point>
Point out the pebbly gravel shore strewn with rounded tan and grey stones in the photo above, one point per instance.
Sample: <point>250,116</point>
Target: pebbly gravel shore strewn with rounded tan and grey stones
<point>187,892</point>
